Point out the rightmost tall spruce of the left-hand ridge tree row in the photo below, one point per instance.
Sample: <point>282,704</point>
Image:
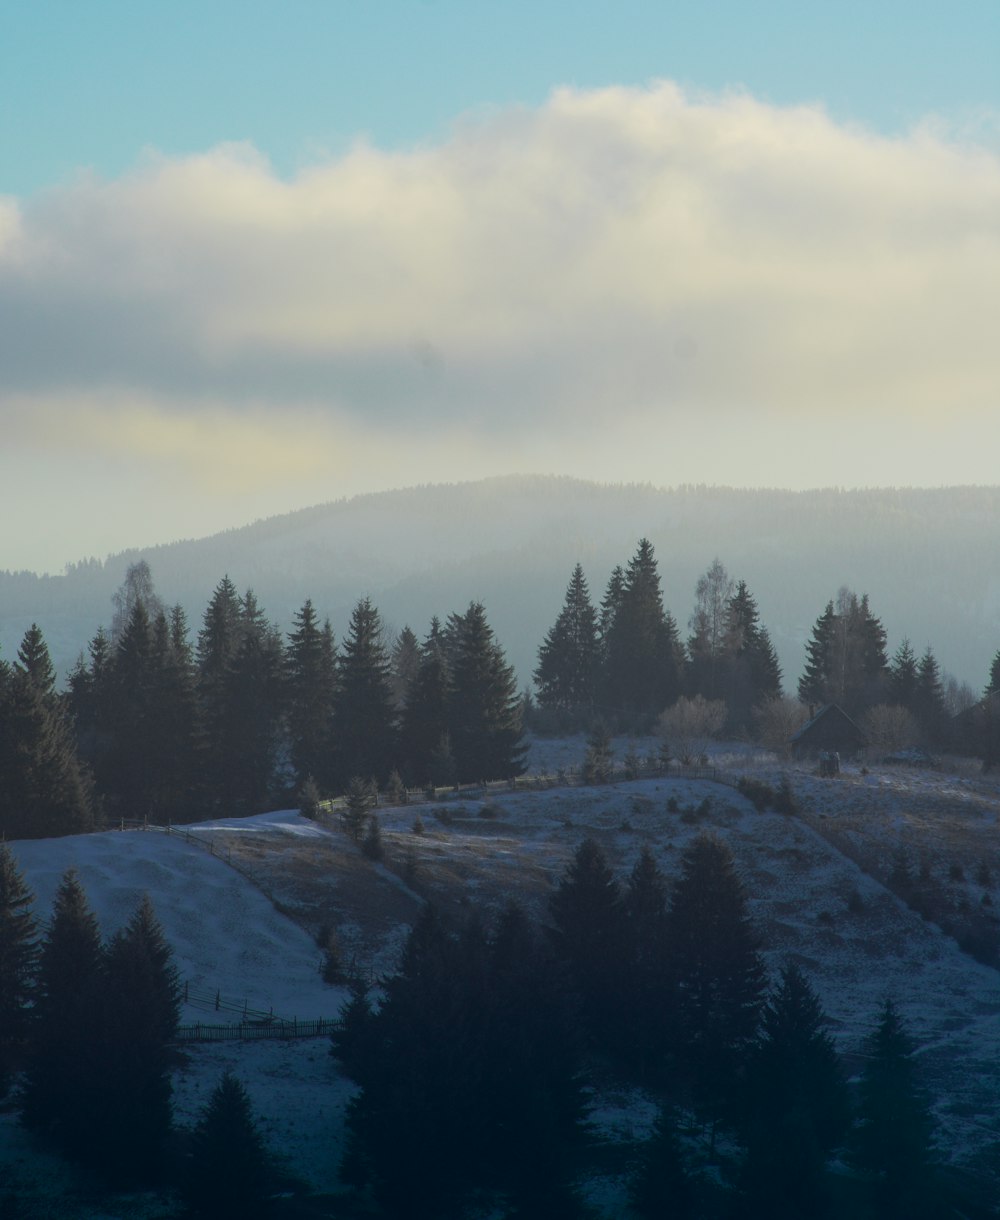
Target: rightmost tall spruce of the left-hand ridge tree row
<point>485,708</point>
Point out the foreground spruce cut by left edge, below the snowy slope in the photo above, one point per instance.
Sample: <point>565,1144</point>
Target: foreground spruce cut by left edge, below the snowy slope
<point>19,962</point>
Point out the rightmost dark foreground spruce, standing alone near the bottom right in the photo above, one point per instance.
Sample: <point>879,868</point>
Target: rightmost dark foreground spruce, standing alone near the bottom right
<point>895,1139</point>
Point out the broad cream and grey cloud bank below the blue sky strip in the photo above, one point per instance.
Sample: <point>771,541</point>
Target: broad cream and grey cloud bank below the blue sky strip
<point>616,282</point>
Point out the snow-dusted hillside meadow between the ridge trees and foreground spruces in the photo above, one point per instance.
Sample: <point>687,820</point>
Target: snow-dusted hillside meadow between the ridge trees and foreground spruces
<point>242,918</point>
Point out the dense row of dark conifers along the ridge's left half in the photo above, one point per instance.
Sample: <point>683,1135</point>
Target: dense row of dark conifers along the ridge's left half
<point>155,725</point>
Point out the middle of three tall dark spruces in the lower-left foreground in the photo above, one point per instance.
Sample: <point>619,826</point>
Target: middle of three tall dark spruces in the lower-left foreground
<point>63,1078</point>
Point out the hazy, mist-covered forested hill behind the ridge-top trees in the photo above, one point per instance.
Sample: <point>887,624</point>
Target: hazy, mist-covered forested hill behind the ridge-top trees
<point>929,559</point>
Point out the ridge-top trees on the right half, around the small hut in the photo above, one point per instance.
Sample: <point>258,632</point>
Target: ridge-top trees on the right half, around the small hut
<point>625,662</point>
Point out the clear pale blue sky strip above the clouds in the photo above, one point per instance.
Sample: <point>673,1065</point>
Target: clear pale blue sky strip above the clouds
<point>93,85</point>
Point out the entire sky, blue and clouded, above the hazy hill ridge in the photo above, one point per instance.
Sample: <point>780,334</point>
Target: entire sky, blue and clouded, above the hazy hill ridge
<point>259,257</point>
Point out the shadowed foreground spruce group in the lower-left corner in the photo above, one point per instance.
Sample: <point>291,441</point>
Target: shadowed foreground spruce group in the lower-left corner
<point>87,1055</point>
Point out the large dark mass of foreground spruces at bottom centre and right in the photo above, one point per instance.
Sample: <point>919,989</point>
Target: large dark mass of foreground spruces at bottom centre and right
<point>475,1063</point>
